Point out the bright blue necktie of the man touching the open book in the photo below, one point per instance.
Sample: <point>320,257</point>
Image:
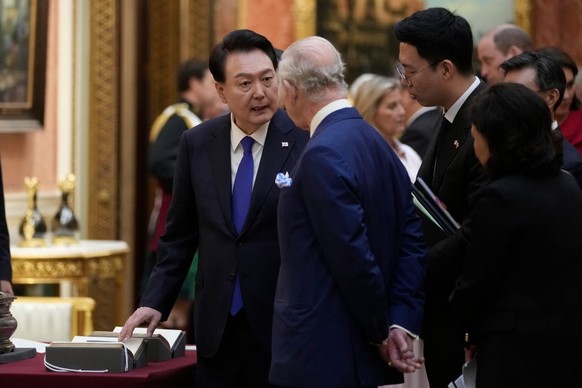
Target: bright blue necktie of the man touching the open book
<point>241,199</point>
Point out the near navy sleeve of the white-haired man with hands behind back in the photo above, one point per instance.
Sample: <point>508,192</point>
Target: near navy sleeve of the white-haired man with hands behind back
<point>337,217</point>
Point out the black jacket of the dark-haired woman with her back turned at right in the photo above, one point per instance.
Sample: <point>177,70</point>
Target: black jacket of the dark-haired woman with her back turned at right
<point>520,296</point>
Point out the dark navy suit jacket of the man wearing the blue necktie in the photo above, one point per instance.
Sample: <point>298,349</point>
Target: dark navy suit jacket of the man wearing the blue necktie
<point>200,218</point>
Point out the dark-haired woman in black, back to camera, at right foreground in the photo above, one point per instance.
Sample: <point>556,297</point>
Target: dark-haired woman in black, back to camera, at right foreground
<point>519,297</point>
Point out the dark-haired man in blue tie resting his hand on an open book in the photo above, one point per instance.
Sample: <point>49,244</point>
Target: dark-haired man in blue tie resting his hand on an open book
<point>238,255</point>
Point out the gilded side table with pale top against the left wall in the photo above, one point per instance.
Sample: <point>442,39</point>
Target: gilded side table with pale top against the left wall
<point>91,268</point>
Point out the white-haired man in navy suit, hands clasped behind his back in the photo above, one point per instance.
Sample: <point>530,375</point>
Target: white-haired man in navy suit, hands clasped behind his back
<point>352,257</point>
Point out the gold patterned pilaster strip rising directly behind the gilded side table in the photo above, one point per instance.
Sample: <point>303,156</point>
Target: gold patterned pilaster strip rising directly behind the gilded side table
<point>103,120</point>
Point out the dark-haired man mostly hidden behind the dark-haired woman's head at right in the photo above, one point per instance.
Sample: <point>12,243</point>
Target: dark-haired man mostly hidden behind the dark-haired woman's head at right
<point>542,74</point>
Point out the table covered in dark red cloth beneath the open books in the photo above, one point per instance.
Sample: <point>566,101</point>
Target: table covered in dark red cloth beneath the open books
<point>177,372</point>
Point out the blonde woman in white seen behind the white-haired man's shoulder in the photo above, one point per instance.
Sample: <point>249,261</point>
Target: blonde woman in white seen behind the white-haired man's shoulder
<point>379,101</point>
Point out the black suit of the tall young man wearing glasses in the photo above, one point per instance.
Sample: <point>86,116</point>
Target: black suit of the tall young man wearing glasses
<point>458,174</point>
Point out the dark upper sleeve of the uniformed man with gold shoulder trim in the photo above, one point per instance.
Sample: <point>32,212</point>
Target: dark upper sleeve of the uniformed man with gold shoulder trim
<point>163,151</point>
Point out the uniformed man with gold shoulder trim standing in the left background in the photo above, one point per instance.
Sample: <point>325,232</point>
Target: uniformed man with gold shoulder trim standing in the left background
<point>197,97</point>
